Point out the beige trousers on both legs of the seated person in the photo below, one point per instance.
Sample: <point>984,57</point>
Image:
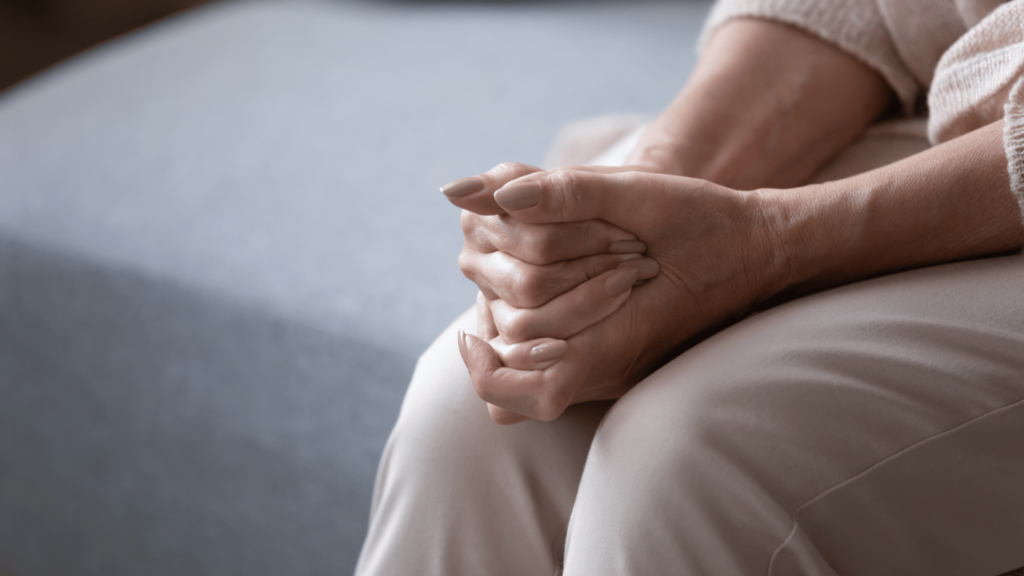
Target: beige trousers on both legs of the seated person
<point>873,430</point>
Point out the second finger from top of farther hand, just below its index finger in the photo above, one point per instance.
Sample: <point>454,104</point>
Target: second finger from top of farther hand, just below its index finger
<point>524,285</point>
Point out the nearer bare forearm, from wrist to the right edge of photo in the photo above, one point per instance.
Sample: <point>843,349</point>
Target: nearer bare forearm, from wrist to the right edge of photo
<point>951,202</point>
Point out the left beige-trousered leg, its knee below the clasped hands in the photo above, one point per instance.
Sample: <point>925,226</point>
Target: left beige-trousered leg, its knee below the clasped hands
<point>458,495</point>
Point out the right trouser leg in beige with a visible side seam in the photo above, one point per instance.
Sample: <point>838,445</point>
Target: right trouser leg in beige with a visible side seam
<point>876,429</point>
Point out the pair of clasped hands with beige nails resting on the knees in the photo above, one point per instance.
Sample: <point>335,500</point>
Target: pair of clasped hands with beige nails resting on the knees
<point>591,278</point>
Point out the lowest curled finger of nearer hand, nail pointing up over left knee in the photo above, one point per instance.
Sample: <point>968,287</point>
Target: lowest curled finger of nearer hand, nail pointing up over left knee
<point>535,394</point>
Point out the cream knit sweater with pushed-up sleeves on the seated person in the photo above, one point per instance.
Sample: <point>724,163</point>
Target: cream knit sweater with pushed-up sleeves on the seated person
<point>967,56</point>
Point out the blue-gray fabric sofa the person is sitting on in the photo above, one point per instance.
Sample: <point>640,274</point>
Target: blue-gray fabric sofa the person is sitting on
<point>223,250</point>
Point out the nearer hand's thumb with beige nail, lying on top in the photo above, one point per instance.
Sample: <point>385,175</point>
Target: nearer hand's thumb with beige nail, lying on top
<point>581,195</point>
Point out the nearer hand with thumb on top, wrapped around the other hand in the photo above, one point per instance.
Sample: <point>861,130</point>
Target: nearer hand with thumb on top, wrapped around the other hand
<point>715,248</point>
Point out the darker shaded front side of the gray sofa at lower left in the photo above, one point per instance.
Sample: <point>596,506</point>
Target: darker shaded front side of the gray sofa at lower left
<point>148,429</point>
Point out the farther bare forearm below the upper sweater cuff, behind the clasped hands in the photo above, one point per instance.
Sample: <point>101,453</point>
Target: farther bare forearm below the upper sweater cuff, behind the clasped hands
<point>766,107</point>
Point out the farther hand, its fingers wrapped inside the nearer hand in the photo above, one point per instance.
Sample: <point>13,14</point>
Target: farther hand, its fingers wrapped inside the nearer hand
<point>544,282</point>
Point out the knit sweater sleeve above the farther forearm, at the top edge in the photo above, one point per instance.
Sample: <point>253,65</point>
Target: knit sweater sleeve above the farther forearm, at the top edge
<point>856,27</point>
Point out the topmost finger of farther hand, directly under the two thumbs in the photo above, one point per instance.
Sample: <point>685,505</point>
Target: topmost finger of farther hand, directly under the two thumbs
<point>543,244</point>
